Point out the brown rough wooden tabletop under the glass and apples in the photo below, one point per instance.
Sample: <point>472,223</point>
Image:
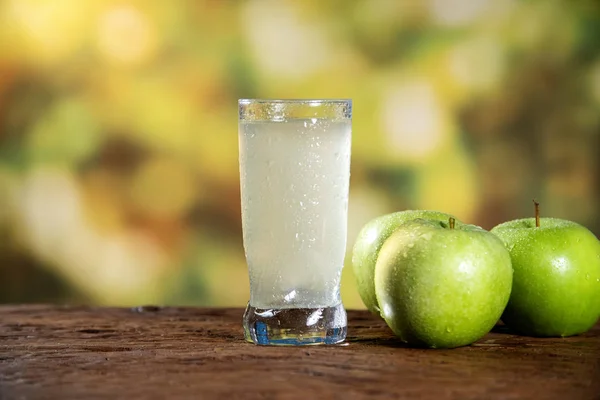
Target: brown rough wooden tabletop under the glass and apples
<point>152,352</point>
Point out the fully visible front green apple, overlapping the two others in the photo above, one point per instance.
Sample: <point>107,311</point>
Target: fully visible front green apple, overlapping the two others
<point>441,286</point>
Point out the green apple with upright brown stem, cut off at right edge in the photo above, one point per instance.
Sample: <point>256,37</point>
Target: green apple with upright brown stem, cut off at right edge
<point>556,288</point>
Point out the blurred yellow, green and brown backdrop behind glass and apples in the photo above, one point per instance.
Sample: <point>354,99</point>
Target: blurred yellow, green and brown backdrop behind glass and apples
<point>118,128</point>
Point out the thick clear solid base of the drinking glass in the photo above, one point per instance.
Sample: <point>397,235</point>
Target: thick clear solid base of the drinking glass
<point>295,326</point>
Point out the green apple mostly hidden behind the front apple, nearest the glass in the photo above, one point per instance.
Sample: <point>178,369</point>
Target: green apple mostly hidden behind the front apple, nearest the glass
<point>368,243</point>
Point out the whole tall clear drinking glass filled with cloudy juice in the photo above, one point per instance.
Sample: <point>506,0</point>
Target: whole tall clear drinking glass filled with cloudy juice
<point>295,173</point>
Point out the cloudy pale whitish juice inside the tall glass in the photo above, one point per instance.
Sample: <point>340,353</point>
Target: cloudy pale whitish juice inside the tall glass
<point>294,186</point>
